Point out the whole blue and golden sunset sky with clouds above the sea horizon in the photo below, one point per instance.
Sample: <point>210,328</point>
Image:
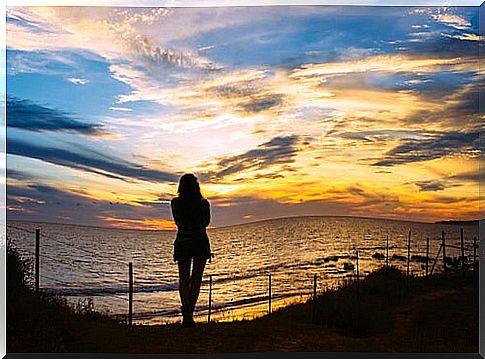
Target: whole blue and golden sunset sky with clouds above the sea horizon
<point>280,111</point>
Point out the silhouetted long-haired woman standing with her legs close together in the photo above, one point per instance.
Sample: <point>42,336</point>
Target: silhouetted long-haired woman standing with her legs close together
<point>191,213</point>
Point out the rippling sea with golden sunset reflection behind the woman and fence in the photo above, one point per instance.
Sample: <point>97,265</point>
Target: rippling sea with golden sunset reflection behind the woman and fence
<point>82,262</point>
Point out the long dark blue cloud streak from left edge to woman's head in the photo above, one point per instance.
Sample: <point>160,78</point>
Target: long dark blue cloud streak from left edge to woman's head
<point>89,160</point>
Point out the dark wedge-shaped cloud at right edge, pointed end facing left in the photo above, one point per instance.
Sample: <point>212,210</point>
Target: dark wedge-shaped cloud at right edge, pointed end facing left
<point>424,150</point>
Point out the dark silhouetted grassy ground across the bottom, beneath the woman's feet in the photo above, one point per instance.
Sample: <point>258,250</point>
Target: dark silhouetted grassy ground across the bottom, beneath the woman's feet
<point>385,312</point>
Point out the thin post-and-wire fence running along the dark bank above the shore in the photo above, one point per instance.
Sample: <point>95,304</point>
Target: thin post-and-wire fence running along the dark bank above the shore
<point>447,263</point>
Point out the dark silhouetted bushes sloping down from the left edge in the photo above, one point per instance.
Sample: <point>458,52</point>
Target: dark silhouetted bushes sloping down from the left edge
<point>41,322</point>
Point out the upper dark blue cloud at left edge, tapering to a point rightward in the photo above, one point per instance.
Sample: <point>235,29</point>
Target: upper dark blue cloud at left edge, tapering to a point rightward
<point>27,115</point>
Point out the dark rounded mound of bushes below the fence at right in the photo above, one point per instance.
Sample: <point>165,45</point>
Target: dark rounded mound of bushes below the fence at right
<point>368,308</point>
